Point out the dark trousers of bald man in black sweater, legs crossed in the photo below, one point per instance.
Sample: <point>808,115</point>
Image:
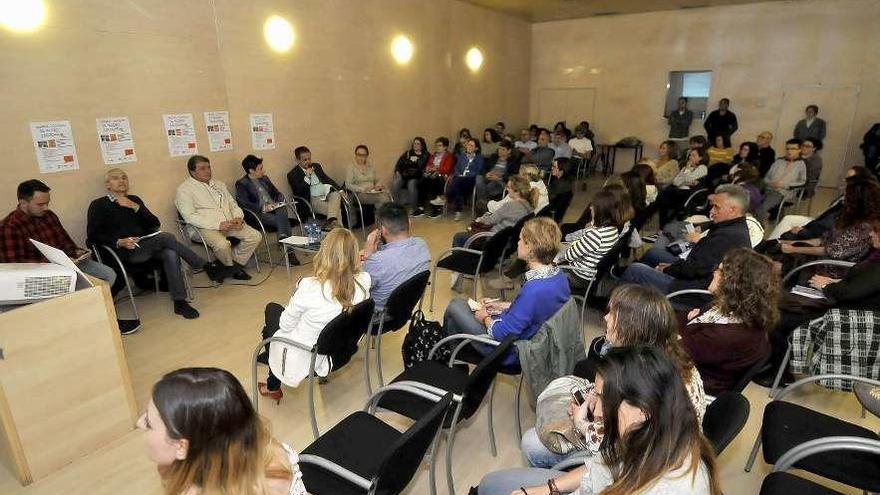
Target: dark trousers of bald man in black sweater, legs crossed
<point>166,248</point>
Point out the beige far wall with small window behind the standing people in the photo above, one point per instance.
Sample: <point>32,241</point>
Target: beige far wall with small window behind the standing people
<point>758,52</point>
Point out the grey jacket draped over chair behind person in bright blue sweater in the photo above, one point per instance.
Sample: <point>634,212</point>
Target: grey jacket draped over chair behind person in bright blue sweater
<point>553,351</point>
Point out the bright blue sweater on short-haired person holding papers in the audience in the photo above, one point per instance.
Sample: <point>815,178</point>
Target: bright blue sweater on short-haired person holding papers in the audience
<point>538,300</point>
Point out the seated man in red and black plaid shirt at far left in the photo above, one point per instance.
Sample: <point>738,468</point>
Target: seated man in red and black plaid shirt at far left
<point>34,220</point>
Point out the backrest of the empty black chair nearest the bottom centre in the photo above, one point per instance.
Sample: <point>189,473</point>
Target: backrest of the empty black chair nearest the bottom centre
<point>405,456</point>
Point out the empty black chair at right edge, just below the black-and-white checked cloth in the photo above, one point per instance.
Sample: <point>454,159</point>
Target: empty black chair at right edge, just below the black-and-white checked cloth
<point>788,425</point>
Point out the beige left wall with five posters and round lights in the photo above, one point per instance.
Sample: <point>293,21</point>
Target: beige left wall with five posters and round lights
<point>337,87</point>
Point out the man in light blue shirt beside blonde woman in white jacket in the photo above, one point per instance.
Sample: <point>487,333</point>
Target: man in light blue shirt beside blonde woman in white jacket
<point>391,255</point>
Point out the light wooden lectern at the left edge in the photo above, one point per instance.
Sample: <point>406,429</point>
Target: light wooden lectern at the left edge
<point>65,389</point>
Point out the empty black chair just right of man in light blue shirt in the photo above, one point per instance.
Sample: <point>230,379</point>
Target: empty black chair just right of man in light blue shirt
<point>471,263</point>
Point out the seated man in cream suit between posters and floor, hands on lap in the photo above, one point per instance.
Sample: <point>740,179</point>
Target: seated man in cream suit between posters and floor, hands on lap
<point>205,204</point>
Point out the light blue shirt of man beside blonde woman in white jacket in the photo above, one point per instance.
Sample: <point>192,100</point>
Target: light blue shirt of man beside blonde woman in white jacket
<point>395,263</point>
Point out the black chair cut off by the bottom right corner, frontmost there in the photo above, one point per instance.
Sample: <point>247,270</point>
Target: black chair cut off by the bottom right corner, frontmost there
<point>779,482</point>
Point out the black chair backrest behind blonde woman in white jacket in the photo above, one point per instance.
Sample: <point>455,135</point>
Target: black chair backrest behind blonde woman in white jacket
<point>340,337</point>
